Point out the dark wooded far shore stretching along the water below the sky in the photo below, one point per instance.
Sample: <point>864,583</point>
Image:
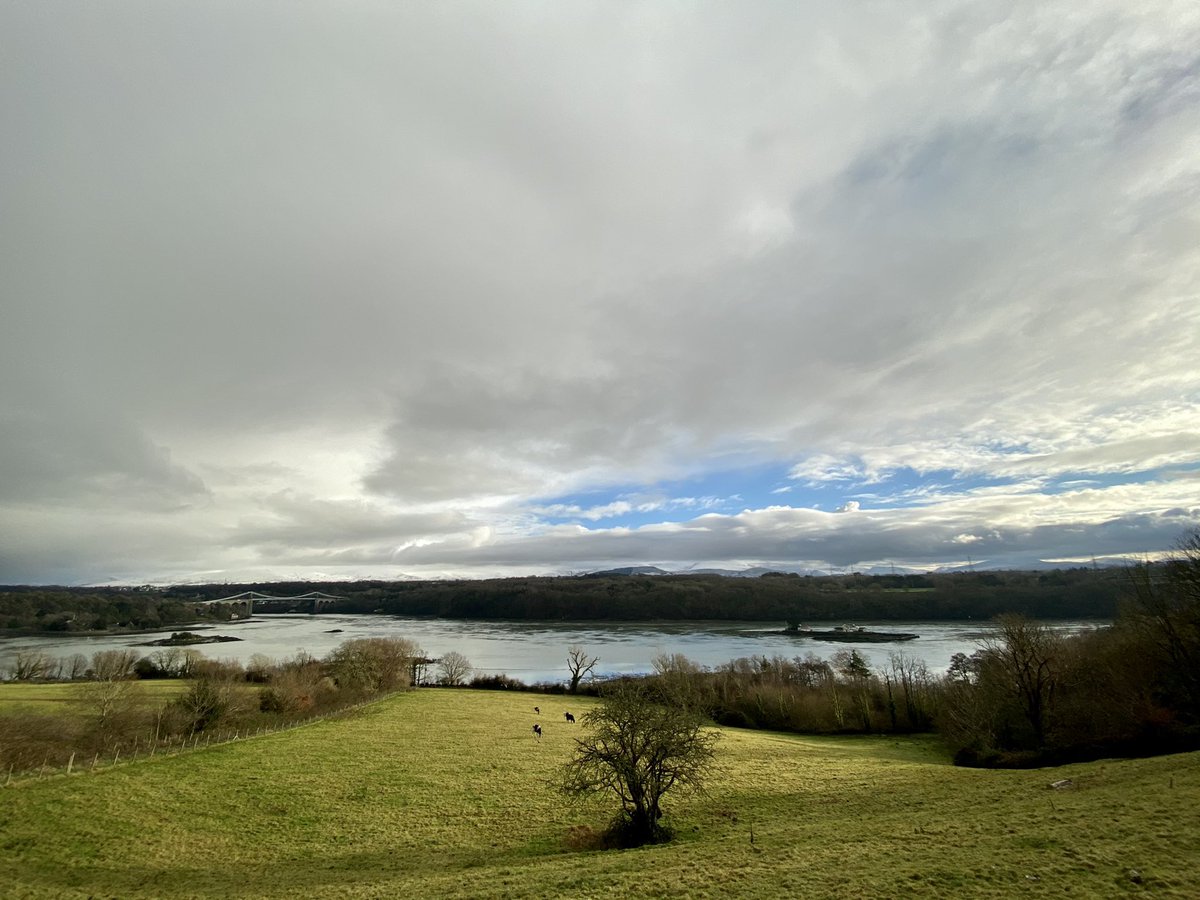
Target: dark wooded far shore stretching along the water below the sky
<point>1060,593</point>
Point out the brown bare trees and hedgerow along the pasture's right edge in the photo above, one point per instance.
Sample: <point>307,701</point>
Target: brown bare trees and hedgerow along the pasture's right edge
<point>1029,697</point>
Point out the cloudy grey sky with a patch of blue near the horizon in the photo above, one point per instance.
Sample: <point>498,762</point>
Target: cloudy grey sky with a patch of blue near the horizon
<point>463,290</point>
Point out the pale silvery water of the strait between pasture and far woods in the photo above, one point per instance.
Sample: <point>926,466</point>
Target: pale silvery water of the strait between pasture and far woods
<point>537,651</point>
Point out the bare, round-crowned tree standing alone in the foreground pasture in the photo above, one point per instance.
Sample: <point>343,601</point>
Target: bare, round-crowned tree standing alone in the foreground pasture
<point>638,749</point>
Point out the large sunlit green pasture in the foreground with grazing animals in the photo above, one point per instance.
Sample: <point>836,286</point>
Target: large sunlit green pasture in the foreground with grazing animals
<point>446,794</point>
